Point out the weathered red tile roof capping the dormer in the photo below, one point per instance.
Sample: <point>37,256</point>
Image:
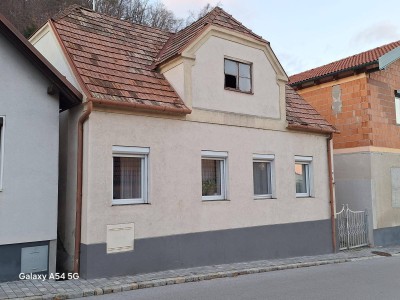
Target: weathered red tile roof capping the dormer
<point>218,17</point>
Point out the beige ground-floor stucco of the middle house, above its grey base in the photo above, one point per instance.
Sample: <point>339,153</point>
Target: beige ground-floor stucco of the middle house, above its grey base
<point>176,205</point>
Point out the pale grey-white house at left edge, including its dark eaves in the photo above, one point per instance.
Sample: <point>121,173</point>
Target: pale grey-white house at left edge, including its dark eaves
<point>32,92</point>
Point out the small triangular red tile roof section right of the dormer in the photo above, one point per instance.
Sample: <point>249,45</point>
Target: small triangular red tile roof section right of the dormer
<point>301,115</point>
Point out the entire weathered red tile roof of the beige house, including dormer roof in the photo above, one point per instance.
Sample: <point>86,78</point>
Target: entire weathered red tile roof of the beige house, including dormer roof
<point>114,61</point>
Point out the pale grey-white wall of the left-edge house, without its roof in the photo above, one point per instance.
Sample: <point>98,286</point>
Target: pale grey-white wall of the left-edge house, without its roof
<point>28,200</point>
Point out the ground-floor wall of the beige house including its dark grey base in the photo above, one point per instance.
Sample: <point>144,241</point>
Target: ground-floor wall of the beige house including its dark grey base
<point>178,229</point>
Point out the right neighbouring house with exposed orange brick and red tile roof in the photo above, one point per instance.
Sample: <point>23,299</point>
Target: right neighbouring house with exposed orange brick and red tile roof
<point>360,95</point>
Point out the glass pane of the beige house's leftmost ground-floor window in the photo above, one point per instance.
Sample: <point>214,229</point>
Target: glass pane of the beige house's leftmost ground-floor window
<point>127,178</point>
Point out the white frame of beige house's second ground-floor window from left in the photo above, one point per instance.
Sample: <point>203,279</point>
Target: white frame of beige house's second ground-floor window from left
<point>220,156</point>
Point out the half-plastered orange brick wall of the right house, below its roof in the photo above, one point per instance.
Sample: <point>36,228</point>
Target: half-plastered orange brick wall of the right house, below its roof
<point>367,146</point>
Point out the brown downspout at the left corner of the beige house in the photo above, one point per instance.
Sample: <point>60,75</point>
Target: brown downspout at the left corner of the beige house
<point>78,216</point>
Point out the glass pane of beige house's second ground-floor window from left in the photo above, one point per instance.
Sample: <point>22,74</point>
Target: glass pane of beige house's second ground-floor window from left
<point>211,177</point>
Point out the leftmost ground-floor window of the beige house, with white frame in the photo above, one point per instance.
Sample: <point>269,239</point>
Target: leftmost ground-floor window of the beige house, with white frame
<point>130,175</point>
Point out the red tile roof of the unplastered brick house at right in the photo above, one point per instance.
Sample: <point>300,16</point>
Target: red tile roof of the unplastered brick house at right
<point>358,60</point>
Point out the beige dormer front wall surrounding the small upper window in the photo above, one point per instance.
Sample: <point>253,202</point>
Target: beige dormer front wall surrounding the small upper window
<point>208,80</point>
